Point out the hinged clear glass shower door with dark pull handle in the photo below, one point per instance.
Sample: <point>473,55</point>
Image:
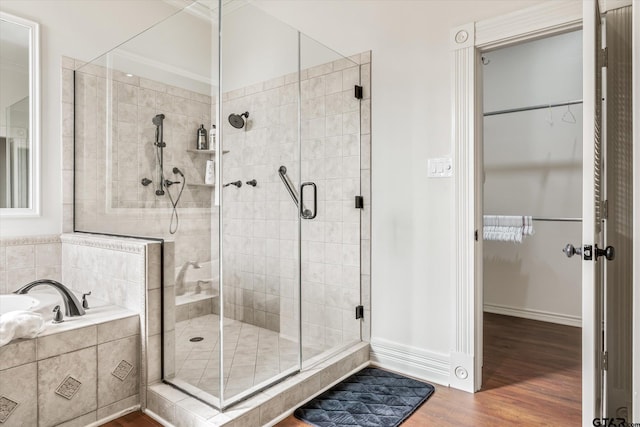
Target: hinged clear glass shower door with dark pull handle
<point>330,163</point>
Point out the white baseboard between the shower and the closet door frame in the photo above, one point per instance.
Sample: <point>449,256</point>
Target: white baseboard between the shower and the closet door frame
<point>411,361</point>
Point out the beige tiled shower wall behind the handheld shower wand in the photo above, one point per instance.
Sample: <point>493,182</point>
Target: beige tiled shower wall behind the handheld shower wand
<point>109,195</point>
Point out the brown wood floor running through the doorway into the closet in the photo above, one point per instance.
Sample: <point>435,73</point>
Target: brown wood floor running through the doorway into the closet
<point>532,377</point>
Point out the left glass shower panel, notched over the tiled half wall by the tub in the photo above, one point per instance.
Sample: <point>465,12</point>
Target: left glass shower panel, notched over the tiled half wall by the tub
<point>137,112</point>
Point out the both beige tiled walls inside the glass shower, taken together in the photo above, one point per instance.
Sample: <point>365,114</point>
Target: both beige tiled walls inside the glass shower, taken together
<point>260,222</point>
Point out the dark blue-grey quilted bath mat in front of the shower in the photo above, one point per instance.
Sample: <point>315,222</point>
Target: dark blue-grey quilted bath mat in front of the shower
<point>369,398</point>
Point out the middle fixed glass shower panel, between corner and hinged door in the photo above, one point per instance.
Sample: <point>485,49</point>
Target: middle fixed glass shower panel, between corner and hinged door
<point>259,58</point>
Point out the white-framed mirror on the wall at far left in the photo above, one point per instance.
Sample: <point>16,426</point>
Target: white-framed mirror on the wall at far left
<point>19,116</point>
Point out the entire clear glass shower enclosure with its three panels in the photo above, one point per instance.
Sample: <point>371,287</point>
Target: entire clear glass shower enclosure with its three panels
<point>235,139</point>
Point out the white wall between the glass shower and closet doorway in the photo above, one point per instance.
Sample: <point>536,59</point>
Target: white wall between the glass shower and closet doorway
<point>412,226</point>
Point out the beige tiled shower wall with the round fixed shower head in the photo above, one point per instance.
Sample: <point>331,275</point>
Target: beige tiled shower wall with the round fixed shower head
<point>260,222</point>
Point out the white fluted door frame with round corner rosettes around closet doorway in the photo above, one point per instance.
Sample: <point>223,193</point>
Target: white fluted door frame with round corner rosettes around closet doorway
<point>466,43</point>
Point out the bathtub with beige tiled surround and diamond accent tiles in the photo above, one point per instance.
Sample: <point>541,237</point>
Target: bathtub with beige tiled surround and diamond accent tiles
<point>99,351</point>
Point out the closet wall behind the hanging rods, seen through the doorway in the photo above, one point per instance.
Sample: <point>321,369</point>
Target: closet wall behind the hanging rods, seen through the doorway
<point>533,166</point>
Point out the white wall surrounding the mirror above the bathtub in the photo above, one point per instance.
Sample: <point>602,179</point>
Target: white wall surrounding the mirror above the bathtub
<point>78,29</point>
